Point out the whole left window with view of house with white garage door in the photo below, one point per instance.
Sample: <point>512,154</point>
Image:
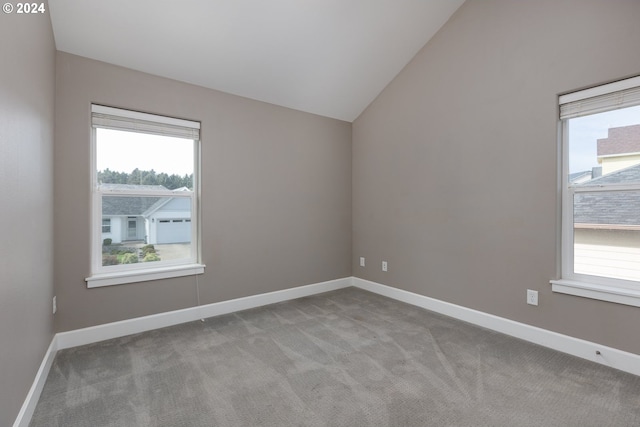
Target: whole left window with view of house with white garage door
<point>145,171</point>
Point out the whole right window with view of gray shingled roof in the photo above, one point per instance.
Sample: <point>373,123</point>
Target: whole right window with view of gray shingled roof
<point>600,130</point>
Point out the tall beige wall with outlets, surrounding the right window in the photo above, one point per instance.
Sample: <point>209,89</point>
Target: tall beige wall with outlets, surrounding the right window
<point>455,163</point>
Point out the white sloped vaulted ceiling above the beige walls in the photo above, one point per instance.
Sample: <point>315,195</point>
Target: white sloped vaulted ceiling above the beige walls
<point>328,57</point>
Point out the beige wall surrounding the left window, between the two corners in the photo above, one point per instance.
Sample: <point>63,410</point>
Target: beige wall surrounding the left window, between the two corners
<point>276,194</point>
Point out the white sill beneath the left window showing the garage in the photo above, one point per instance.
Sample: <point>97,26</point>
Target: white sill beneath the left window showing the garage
<point>120,278</point>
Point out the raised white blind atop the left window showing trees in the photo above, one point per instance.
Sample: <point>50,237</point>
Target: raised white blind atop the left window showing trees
<point>134,121</point>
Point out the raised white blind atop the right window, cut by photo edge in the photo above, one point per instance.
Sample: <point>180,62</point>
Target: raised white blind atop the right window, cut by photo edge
<point>620,94</point>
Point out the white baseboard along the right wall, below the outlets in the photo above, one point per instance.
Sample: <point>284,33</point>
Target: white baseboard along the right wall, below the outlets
<point>608,356</point>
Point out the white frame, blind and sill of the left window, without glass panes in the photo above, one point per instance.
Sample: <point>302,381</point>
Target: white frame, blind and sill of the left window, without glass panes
<point>134,121</point>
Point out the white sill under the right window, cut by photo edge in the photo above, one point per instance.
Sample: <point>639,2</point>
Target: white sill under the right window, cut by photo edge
<point>609,293</point>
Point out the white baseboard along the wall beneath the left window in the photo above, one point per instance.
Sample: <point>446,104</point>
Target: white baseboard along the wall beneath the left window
<point>155,321</point>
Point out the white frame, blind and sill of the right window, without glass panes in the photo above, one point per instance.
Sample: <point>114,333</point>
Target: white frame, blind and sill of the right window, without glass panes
<point>608,97</point>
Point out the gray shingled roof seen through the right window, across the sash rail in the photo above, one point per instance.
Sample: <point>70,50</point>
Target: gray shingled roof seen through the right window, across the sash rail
<point>610,208</point>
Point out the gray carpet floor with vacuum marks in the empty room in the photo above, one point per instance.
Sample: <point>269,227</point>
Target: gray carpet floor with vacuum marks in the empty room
<point>343,358</point>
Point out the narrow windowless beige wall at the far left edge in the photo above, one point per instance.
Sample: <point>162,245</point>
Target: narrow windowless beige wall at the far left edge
<point>27,69</point>
